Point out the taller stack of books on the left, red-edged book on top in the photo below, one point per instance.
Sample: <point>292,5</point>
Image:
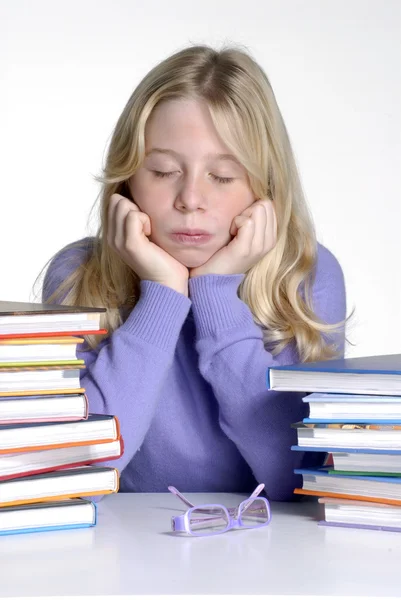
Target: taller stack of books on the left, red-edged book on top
<point>48,441</point>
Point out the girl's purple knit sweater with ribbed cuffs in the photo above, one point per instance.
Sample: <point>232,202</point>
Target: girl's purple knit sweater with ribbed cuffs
<point>187,379</point>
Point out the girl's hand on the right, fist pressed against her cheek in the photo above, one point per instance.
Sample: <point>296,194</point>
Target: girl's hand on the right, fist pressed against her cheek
<point>255,234</point>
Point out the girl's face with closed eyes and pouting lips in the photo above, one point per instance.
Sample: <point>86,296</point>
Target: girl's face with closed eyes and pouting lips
<point>189,184</point>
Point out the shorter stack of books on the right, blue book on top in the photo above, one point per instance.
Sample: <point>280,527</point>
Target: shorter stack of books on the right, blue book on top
<point>355,419</point>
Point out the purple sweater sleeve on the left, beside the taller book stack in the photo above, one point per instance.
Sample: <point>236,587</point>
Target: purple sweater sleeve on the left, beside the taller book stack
<point>124,375</point>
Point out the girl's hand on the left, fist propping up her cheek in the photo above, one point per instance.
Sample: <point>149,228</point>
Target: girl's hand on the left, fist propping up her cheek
<point>128,233</point>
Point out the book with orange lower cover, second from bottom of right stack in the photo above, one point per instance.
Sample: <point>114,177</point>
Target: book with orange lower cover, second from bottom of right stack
<point>317,482</point>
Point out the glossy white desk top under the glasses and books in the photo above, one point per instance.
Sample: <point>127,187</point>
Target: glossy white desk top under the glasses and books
<point>131,551</point>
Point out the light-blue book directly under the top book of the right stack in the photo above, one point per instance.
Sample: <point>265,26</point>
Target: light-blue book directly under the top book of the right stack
<point>352,408</point>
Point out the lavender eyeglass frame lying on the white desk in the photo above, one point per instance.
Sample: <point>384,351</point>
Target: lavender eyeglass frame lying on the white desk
<point>180,524</point>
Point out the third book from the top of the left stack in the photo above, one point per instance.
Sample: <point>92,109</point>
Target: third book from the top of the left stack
<point>36,380</point>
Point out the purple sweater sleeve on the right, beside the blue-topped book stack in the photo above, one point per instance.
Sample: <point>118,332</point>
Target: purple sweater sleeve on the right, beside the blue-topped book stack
<point>232,358</point>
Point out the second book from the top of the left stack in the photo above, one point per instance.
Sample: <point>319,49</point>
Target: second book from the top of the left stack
<point>39,350</point>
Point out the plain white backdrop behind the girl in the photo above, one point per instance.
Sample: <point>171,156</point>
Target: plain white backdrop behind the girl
<point>67,69</point>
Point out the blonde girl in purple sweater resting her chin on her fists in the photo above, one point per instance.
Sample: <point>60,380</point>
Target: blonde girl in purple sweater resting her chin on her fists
<point>207,263</point>
